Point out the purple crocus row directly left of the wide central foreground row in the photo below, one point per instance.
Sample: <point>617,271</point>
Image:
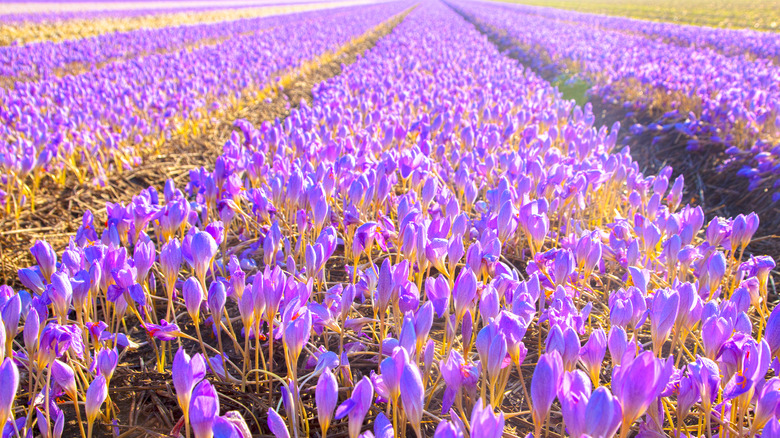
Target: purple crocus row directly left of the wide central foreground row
<point>96,122</point>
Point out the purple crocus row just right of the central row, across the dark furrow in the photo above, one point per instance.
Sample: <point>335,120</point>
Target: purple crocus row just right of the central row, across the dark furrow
<point>717,101</point>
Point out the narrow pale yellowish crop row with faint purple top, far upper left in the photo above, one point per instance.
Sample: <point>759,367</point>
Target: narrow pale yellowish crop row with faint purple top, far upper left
<point>23,29</point>
